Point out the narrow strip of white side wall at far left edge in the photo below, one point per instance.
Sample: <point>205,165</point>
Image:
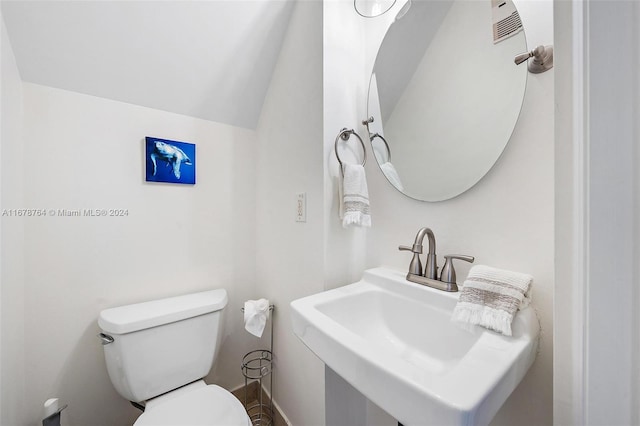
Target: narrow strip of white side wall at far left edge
<point>12,365</point>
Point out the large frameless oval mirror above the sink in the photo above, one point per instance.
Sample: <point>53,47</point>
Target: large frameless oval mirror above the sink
<point>445,94</point>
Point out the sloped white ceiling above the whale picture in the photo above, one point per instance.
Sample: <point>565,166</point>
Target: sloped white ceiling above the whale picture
<point>208,59</point>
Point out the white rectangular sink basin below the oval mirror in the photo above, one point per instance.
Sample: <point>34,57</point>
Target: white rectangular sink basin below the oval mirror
<point>393,341</point>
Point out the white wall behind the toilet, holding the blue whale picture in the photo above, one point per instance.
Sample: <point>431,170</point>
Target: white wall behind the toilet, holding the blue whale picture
<point>84,152</point>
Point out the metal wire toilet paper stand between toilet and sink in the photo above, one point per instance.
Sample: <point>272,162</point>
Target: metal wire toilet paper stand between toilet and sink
<point>257,366</point>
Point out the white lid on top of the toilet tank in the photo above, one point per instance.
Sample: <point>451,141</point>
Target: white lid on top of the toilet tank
<point>139,316</point>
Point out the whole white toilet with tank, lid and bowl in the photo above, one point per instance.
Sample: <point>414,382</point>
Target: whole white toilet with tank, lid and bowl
<point>157,354</point>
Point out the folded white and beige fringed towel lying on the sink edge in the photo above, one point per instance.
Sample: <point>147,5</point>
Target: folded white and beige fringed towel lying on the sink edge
<point>491,297</point>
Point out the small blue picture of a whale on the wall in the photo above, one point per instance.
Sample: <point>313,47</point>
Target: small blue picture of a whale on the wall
<point>170,161</point>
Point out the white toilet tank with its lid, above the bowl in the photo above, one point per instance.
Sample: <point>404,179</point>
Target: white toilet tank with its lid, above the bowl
<point>163,344</point>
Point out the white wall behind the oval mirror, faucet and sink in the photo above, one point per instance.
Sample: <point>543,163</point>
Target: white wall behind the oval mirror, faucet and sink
<point>505,221</point>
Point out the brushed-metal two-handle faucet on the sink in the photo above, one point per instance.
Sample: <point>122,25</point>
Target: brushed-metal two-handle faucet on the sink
<point>447,280</point>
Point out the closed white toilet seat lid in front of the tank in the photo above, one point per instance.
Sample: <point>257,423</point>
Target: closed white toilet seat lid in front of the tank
<point>196,404</point>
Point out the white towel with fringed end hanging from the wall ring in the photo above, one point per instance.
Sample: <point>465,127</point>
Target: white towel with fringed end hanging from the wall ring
<point>354,197</point>
